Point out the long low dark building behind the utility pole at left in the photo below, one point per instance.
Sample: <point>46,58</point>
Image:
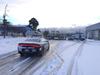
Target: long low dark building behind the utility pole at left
<point>12,30</point>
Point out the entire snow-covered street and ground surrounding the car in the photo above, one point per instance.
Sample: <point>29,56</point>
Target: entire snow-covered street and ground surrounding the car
<point>64,58</point>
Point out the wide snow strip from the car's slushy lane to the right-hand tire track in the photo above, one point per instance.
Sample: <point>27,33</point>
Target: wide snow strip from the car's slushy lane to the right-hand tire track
<point>59,62</point>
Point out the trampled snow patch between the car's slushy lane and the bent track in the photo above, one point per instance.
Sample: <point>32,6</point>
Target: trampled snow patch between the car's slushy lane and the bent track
<point>50,67</point>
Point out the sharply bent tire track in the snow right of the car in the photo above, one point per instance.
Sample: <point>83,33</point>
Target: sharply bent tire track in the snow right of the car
<point>61,61</point>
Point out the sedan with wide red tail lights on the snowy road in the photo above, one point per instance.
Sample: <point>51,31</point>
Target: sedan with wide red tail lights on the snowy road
<point>35,45</point>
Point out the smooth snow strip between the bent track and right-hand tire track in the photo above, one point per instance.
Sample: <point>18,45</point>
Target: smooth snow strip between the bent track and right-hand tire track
<point>68,57</point>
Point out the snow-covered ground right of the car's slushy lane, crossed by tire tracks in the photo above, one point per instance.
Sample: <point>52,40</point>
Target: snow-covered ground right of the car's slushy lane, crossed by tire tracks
<point>86,62</point>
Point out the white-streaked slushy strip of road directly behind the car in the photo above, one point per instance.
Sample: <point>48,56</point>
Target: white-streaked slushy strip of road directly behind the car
<point>23,66</point>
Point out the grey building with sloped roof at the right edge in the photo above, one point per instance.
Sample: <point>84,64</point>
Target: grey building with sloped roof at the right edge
<point>93,31</point>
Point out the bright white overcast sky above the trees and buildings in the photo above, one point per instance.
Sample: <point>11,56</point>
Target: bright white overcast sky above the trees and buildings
<point>53,13</point>
